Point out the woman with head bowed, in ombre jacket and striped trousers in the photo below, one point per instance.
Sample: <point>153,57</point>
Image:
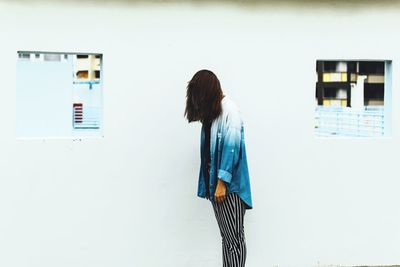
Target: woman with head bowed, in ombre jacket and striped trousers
<point>224,177</point>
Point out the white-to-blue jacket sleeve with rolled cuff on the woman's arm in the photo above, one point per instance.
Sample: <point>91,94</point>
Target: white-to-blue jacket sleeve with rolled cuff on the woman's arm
<point>229,156</point>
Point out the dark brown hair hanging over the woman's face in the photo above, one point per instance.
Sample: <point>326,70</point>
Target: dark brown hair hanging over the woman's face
<point>203,97</point>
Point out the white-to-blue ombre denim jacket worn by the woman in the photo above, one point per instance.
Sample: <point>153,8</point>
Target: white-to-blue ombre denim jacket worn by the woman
<point>228,154</point>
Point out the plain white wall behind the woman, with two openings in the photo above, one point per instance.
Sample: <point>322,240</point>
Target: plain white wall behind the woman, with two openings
<point>130,199</point>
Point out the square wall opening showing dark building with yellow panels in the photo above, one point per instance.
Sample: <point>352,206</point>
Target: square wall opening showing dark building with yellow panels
<point>353,98</point>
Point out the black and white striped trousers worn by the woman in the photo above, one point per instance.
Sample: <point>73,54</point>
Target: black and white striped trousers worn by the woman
<point>230,214</point>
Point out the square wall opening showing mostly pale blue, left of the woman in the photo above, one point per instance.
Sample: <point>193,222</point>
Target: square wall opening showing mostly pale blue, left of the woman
<point>59,95</point>
